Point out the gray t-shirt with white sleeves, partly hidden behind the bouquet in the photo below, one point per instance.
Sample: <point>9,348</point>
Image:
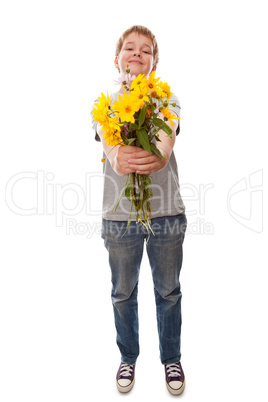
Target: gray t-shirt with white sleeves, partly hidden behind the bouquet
<point>166,199</point>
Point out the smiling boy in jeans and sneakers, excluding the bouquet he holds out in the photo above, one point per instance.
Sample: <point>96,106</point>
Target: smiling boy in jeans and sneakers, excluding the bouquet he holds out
<point>138,49</point>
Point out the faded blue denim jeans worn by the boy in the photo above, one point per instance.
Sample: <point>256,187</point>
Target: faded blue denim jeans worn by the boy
<point>164,250</point>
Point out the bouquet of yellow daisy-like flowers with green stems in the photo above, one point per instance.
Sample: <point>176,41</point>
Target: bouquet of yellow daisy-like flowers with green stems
<point>133,120</point>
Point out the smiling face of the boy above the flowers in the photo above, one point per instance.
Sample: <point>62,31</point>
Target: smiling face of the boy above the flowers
<point>137,52</point>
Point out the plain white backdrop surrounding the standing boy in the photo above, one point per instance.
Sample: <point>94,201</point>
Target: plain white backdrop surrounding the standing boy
<point>57,332</point>
